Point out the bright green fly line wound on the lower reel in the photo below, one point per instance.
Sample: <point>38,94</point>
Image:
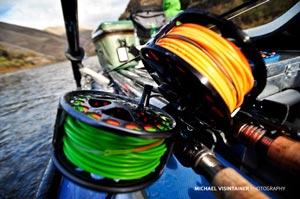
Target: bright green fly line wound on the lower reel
<point>110,155</point>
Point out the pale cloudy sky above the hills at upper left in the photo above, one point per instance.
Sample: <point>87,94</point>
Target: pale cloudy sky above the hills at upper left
<point>40,14</point>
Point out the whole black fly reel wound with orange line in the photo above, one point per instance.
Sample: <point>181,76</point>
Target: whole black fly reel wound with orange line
<point>194,69</point>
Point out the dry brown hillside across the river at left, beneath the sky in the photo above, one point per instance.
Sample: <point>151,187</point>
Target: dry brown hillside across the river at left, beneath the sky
<point>22,47</point>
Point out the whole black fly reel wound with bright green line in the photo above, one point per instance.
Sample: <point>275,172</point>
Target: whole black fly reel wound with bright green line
<point>111,143</point>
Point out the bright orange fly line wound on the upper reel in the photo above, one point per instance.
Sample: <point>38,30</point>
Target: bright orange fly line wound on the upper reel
<point>214,57</point>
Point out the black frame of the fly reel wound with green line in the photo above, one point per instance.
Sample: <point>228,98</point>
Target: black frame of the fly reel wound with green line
<point>83,178</point>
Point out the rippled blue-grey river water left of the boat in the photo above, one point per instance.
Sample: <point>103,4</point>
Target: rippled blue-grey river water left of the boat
<point>28,105</point>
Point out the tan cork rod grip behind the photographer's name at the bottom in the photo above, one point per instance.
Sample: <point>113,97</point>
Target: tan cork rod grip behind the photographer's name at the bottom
<point>231,185</point>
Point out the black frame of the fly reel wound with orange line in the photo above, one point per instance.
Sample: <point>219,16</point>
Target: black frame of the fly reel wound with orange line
<point>185,87</point>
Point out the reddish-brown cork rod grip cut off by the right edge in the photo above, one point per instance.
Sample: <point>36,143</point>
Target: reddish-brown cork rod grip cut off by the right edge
<point>285,152</point>
